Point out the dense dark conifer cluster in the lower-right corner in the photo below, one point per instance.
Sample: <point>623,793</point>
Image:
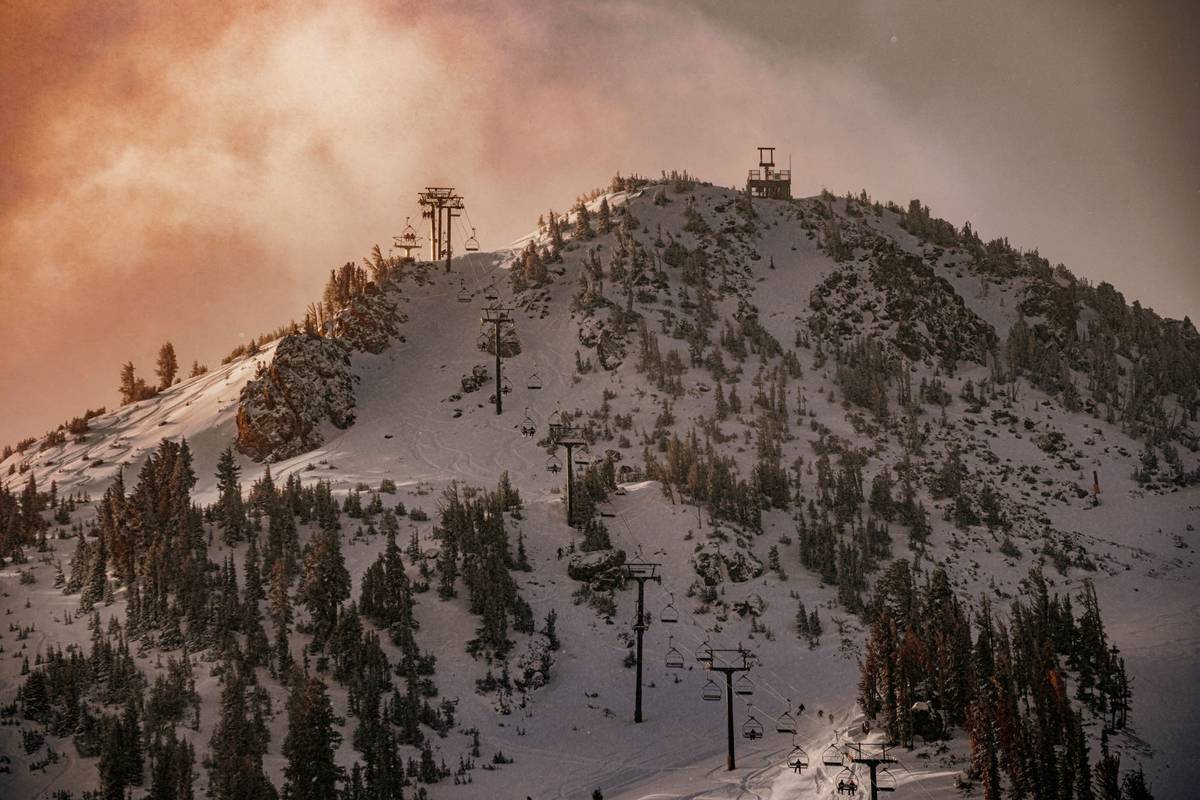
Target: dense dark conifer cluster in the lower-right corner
<point>932,665</point>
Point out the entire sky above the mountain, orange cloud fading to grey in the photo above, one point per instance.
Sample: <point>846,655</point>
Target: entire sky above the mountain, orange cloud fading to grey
<point>191,172</point>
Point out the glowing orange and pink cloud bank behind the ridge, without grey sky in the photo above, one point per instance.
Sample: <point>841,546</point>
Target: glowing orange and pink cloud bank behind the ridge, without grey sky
<point>191,172</point>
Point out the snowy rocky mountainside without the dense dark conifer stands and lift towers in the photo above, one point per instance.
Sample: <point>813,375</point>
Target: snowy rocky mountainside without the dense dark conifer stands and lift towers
<point>741,365</point>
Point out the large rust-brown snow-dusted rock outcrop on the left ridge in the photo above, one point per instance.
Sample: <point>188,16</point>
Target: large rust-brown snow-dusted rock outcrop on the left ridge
<point>281,411</point>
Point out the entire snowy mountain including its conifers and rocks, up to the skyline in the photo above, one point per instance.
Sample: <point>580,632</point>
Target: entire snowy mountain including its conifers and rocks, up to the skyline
<point>935,490</point>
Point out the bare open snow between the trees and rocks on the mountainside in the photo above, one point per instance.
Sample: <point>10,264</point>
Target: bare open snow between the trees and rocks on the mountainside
<point>578,735</point>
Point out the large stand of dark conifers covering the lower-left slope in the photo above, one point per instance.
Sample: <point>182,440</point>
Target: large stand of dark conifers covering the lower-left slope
<point>154,542</point>
